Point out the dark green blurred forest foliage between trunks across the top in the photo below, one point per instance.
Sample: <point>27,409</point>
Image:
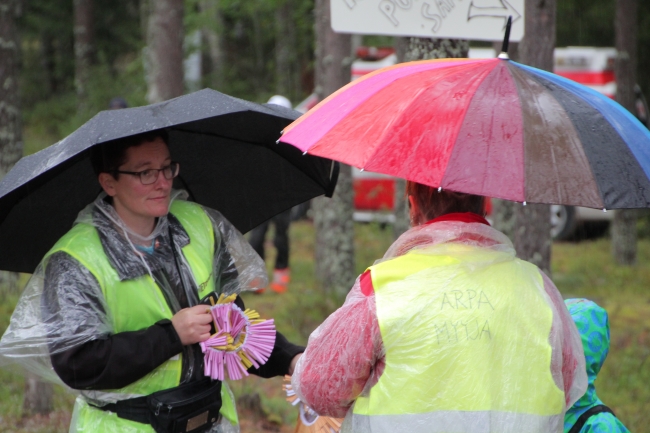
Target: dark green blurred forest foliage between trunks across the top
<point>249,49</point>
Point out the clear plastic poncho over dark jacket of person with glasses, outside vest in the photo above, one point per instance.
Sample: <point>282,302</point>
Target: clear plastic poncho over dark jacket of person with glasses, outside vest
<point>62,305</point>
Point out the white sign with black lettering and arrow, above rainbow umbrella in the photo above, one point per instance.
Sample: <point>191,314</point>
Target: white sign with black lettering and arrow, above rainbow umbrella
<point>454,19</point>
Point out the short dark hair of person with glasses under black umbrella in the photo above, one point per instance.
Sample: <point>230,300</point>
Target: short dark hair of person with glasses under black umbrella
<point>108,157</point>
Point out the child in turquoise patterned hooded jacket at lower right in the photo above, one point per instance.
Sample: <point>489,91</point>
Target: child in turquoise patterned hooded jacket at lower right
<point>589,414</point>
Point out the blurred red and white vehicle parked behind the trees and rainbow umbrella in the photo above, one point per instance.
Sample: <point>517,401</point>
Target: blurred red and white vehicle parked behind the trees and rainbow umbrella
<point>590,66</point>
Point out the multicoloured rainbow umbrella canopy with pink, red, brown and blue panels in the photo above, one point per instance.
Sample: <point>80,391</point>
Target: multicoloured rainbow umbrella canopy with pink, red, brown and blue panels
<point>491,127</point>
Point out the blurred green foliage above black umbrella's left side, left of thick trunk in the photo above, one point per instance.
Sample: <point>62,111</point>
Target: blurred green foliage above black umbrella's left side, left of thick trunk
<point>49,101</point>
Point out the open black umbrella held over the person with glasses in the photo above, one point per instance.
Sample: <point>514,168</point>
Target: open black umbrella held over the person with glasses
<point>226,148</point>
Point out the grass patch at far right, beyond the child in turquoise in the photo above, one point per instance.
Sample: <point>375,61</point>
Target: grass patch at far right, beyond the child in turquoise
<point>587,270</point>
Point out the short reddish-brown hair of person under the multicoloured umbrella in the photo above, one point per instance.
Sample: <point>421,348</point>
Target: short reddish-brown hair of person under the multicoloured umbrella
<point>433,203</point>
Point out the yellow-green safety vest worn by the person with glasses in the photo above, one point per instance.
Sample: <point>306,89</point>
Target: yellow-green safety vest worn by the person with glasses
<point>139,303</point>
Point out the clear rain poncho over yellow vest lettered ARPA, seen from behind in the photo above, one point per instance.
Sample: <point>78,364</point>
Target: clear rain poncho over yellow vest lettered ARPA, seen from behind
<point>447,332</point>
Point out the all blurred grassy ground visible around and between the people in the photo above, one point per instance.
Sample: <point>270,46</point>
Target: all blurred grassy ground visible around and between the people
<point>582,269</point>
